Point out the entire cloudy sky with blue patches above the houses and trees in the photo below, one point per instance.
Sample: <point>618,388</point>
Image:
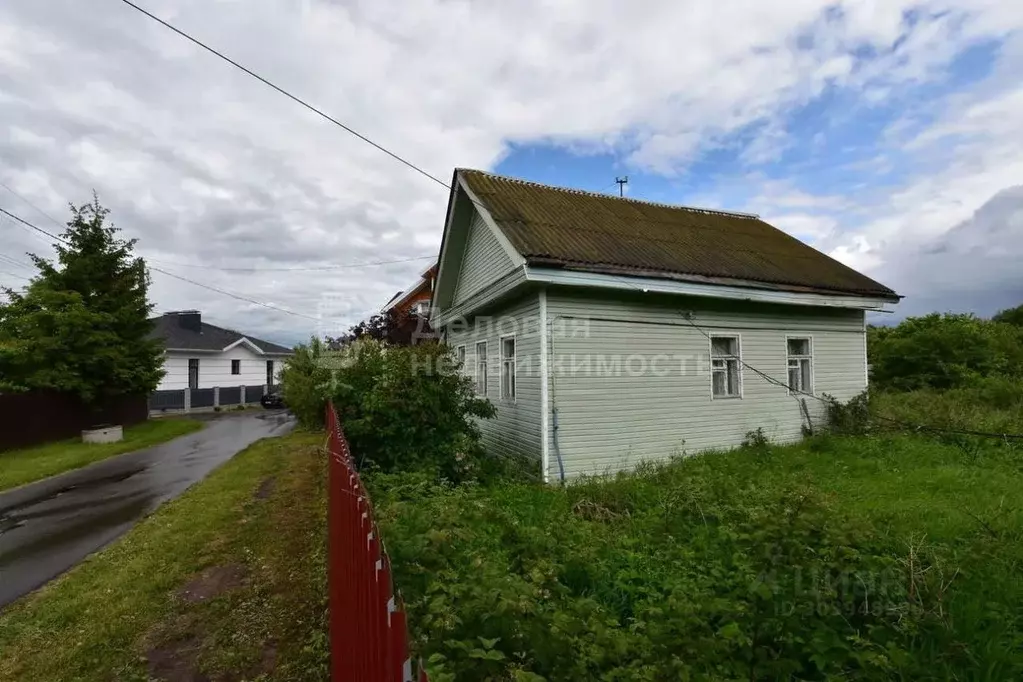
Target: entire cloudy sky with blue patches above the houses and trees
<point>885,133</point>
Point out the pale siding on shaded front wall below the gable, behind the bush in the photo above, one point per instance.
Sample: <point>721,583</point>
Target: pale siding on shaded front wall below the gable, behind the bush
<point>516,430</point>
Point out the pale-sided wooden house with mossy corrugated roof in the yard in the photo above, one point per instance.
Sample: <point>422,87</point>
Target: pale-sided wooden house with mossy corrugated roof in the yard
<point>609,331</point>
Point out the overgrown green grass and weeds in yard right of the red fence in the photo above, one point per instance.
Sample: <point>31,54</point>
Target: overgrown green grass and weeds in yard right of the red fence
<point>874,558</point>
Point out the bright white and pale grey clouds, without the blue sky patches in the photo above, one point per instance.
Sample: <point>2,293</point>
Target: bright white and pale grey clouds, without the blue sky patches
<point>210,168</point>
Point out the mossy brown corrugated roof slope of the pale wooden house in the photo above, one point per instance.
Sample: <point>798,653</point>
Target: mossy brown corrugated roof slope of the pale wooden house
<point>558,228</point>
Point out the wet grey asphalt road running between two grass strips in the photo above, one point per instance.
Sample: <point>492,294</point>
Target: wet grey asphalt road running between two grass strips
<point>49,527</point>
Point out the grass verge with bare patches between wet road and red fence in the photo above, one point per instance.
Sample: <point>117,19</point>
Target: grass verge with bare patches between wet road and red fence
<point>122,613</point>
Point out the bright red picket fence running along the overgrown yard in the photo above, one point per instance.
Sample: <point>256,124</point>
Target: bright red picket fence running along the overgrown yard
<point>369,632</point>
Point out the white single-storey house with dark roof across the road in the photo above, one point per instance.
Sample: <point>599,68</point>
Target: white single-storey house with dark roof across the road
<point>203,356</point>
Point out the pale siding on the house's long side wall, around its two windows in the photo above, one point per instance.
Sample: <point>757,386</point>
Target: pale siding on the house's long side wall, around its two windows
<point>658,400</point>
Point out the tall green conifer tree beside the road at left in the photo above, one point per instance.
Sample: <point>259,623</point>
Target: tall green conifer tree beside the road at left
<point>83,325</point>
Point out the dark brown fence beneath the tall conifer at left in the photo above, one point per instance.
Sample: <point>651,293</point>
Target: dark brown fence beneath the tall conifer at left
<point>45,417</point>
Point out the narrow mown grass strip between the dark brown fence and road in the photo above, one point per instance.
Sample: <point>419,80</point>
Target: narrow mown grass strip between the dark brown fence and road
<point>19,468</point>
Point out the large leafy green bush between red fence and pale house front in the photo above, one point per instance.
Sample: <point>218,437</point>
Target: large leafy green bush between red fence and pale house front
<point>403,406</point>
